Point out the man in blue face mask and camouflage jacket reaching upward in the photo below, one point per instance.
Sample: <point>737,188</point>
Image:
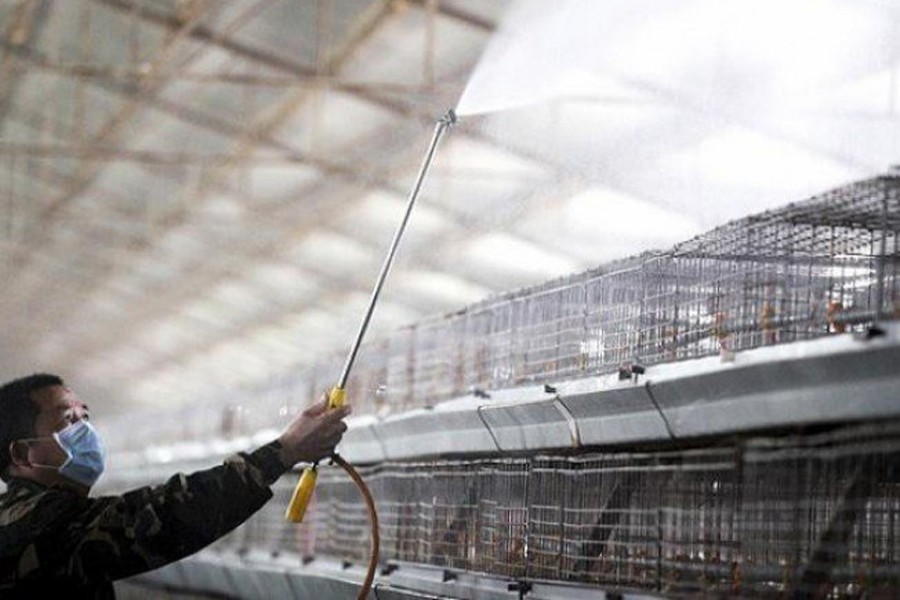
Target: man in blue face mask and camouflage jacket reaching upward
<point>56,542</point>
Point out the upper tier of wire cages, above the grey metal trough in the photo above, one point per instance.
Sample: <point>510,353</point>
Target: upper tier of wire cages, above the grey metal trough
<point>822,267</point>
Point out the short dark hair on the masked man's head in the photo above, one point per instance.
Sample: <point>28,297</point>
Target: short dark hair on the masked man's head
<point>18,411</point>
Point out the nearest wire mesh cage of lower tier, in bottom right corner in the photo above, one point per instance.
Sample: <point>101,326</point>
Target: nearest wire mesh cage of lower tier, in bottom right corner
<point>820,516</point>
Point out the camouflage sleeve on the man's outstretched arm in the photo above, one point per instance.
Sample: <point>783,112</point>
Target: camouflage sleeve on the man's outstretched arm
<point>143,529</point>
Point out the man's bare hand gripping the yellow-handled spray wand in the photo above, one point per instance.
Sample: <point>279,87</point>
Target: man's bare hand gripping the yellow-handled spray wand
<point>314,434</point>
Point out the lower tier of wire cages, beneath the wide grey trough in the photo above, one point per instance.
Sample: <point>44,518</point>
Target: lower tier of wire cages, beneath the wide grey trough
<point>818,515</point>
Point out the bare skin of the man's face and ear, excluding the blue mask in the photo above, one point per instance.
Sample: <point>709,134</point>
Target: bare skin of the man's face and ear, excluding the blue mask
<point>59,407</point>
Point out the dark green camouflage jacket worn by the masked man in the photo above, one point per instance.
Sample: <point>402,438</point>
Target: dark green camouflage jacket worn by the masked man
<point>56,544</point>
